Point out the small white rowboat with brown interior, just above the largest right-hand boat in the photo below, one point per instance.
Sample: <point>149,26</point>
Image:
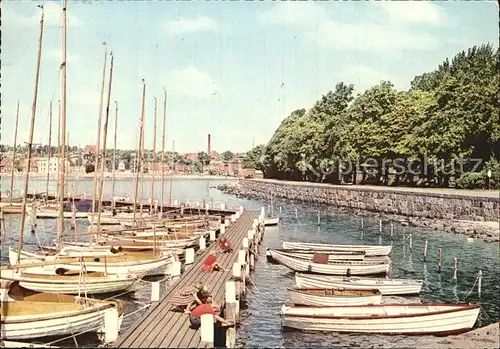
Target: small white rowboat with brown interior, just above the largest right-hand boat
<point>323,297</point>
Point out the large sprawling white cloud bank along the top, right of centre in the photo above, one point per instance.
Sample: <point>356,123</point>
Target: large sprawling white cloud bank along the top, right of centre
<point>387,32</point>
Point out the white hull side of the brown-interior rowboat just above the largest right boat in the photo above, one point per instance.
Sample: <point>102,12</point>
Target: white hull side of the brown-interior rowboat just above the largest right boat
<point>303,298</point>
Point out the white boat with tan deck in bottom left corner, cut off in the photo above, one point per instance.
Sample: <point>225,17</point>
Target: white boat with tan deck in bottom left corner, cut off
<point>27,314</point>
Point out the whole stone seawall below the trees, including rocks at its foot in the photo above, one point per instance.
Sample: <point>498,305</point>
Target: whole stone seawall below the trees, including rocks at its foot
<point>464,212</point>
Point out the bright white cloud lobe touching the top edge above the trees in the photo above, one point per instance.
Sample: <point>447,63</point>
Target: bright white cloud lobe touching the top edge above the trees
<point>413,11</point>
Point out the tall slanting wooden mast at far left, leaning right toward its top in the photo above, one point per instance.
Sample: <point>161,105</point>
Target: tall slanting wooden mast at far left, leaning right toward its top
<point>30,142</point>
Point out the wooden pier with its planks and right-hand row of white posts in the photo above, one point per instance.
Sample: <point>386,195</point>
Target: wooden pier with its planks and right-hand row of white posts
<point>161,326</point>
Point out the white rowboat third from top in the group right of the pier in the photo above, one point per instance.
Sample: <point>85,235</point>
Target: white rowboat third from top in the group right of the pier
<point>385,286</point>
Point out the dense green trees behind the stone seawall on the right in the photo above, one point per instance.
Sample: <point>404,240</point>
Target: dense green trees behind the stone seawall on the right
<point>444,131</point>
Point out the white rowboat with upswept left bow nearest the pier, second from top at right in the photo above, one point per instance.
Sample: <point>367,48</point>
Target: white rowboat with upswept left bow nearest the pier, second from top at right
<point>340,268</point>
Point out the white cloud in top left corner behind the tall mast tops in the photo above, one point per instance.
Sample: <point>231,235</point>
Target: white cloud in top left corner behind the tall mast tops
<point>52,17</point>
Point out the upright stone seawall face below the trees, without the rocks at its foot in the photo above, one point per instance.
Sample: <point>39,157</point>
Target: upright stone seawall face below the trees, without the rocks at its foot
<point>390,201</point>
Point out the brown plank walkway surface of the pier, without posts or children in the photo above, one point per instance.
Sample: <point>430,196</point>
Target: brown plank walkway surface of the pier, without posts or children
<point>160,327</point>
